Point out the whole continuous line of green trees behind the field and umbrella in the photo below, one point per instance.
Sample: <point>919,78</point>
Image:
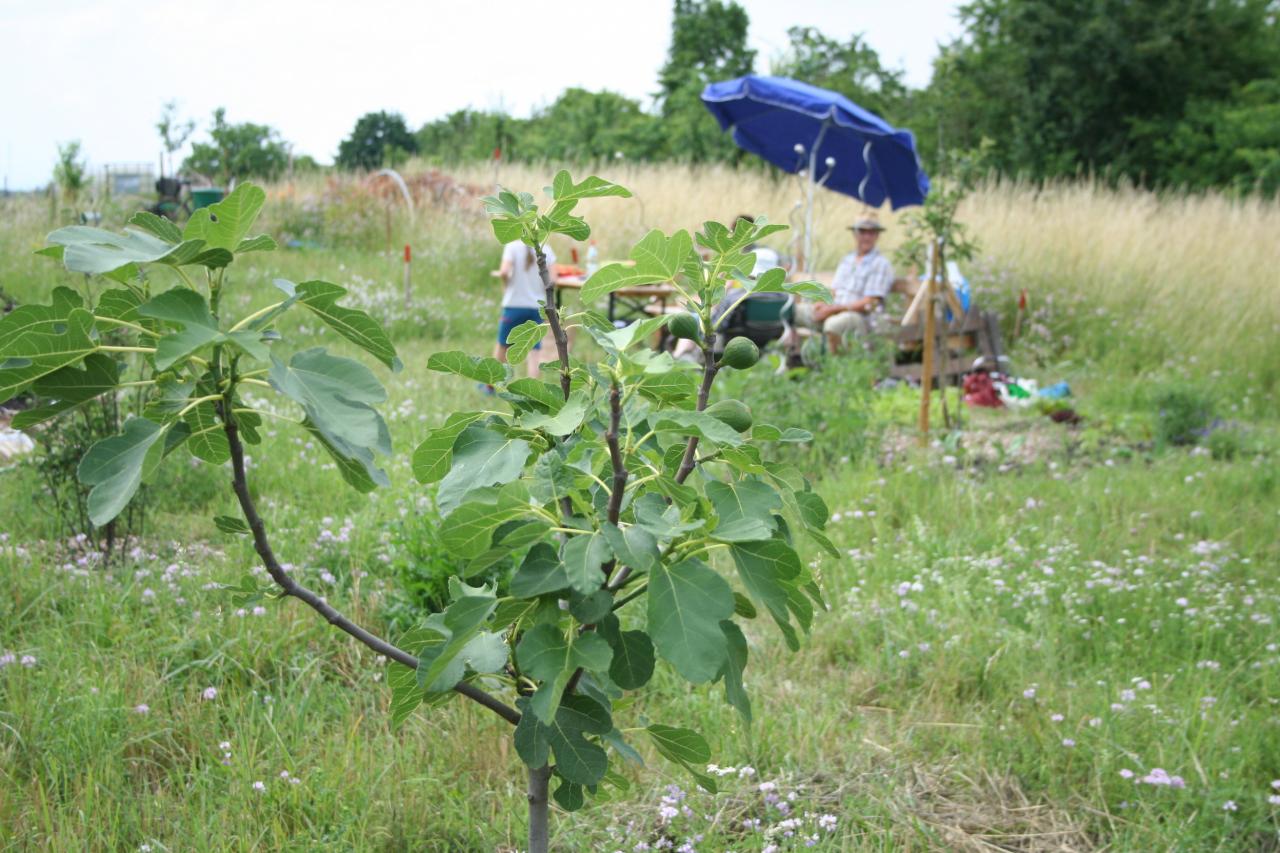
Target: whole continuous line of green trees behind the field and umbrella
<point>1182,93</point>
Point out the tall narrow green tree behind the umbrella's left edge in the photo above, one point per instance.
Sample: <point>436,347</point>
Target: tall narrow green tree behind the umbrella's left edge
<point>708,43</point>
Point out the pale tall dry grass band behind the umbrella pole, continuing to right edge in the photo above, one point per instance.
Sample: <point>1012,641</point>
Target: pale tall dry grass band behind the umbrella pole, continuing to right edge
<point>1159,276</point>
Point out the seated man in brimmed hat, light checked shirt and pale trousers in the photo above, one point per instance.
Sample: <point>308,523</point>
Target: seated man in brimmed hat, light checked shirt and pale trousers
<point>863,280</point>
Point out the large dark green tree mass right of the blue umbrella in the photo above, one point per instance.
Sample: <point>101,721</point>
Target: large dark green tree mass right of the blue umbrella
<point>1096,84</point>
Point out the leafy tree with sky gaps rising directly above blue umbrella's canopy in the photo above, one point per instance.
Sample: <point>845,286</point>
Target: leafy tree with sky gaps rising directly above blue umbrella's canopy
<point>852,69</point>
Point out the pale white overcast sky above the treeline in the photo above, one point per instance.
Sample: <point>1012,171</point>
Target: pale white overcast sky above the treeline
<point>100,71</point>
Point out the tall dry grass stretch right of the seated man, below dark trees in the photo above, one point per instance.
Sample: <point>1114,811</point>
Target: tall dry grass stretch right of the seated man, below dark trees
<point>1205,267</point>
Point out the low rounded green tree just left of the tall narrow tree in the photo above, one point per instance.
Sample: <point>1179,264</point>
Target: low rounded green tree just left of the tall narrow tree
<point>583,126</point>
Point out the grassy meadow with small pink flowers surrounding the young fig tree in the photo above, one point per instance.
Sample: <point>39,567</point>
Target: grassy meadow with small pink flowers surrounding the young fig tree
<point>1041,638</point>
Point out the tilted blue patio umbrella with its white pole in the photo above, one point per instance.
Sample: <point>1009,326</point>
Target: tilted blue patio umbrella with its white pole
<point>842,147</point>
